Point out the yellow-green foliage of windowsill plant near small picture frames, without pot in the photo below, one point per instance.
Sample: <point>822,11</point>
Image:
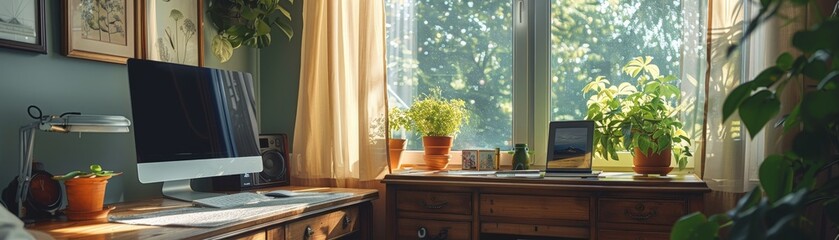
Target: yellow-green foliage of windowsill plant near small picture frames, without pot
<point>432,115</point>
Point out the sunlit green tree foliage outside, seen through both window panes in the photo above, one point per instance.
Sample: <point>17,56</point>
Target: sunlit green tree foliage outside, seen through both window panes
<point>465,48</point>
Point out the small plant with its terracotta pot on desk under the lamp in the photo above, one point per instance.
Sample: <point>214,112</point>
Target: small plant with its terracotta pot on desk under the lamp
<point>86,193</point>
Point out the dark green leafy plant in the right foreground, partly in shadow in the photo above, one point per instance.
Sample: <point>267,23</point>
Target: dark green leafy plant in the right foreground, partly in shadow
<point>788,182</point>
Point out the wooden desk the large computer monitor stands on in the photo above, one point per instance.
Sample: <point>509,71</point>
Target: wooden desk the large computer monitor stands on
<point>325,219</point>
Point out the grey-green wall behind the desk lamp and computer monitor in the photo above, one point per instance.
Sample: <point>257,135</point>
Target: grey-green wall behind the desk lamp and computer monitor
<point>60,84</point>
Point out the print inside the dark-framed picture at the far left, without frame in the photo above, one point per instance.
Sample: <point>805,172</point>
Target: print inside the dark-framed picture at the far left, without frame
<point>17,20</point>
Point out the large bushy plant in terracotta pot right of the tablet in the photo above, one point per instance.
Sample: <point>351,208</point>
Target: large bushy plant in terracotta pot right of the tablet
<point>639,118</point>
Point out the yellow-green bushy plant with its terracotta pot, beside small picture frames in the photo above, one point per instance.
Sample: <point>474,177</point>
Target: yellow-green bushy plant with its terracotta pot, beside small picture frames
<point>438,120</point>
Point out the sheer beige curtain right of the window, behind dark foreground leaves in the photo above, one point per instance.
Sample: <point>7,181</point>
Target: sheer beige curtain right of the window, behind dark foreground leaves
<point>730,158</point>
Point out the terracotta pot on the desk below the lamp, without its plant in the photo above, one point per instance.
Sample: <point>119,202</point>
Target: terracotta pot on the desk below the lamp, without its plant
<point>85,196</point>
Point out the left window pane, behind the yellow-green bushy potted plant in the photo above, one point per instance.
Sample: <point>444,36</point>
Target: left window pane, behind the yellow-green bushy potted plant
<point>464,48</point>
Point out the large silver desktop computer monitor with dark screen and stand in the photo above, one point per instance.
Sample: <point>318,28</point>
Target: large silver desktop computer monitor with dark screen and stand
<point>191,122</point>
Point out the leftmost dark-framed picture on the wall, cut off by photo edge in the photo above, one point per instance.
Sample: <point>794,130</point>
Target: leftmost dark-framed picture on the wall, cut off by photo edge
<point>22,25</point>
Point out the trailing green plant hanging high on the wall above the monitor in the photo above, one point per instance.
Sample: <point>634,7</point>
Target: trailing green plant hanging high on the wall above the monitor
<point>246,22</point>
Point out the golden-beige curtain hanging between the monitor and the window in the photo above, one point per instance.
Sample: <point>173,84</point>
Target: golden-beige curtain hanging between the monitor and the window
<point>339,131</point>
